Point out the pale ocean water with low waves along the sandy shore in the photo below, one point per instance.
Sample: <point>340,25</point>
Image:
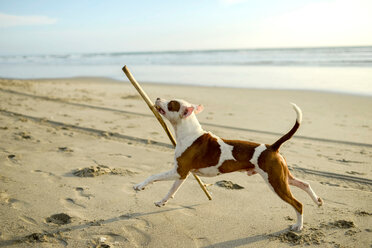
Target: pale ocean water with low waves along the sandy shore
<point>332,69</point>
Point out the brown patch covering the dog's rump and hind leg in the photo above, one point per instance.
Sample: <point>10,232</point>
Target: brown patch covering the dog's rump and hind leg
<point>278,173</point>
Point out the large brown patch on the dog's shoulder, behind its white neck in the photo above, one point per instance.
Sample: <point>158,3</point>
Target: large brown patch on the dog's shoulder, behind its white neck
<point>204,152</point>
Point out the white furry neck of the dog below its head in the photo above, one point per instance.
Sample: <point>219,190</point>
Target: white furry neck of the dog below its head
<point>187,128</point>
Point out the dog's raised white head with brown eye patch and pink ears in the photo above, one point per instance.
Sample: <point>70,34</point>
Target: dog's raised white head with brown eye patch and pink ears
<point>176,110</point>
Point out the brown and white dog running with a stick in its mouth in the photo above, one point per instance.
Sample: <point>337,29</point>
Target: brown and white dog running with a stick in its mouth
<point>205,154</point>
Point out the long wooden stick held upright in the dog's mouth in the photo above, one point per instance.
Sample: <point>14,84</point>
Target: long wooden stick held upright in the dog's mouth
<point>160,119</point>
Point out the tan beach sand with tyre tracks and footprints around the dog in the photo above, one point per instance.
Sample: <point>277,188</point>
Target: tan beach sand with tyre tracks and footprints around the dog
<point>72,149</point>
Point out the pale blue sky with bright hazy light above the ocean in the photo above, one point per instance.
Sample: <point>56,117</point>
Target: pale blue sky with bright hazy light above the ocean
<point>81,26</point>
